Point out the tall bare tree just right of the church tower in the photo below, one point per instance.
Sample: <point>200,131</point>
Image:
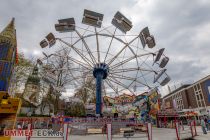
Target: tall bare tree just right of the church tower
<point>57,74</point>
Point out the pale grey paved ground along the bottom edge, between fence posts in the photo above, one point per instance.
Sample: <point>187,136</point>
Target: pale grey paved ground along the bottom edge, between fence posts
<point>158,134</point>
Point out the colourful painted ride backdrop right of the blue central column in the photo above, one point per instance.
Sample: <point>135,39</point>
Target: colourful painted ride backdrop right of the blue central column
<point>132,106</point>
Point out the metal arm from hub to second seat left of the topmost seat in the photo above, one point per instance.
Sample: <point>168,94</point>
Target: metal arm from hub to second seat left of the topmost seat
<point>78,52</point>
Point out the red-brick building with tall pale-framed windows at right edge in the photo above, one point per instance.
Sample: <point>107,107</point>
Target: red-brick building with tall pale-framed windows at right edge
<point>194,97</point>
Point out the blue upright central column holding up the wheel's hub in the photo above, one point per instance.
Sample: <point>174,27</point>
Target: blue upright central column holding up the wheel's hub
<point>99,78</point>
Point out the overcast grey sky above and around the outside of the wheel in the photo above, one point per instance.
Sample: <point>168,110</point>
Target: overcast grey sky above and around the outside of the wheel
<point>180,26</point>
